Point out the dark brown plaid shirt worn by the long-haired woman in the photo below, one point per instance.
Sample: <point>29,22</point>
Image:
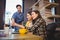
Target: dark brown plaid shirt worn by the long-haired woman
<point>39,27</point>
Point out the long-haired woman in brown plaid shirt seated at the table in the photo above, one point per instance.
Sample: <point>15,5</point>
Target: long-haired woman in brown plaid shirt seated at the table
<point>38,27</point>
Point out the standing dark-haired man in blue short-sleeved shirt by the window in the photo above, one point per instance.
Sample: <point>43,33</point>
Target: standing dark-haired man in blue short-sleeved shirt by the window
<point>17,18</point>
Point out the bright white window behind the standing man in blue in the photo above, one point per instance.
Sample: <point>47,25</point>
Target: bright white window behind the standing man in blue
<point>10,9</point>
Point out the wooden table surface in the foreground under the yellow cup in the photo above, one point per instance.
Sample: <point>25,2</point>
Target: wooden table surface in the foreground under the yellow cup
<point>21,37</point>
